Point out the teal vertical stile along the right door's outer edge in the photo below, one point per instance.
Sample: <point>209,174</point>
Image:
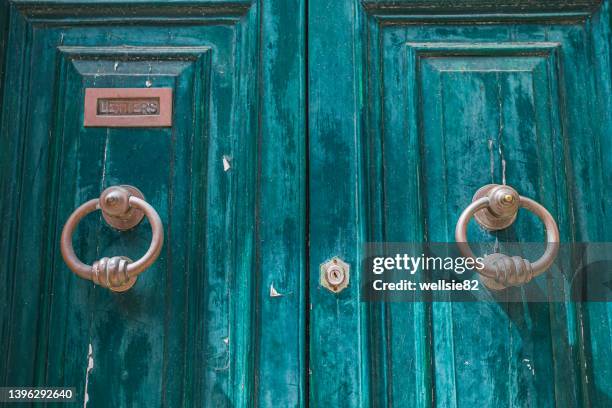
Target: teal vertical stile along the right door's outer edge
<point>595,319</point>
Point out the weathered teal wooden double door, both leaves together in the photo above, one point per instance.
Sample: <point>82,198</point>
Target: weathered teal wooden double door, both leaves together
<point>290,146</point>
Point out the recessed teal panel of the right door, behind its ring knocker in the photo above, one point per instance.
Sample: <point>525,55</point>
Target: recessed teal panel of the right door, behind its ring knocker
<point>478,106</point>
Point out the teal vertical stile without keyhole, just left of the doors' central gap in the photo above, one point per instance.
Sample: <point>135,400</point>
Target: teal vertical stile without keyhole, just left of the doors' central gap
<point>280,329</point>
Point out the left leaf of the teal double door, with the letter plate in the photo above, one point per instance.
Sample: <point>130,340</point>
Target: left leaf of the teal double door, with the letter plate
<point>186,334</point>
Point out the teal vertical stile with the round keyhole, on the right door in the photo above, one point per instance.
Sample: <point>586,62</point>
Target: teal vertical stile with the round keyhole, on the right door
<point>337,325</point>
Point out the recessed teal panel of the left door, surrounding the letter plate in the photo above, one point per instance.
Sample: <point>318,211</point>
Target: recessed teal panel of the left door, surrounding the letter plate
<point>181,310</point>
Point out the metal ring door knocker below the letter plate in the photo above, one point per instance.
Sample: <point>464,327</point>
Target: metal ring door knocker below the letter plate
<point>123,207</point>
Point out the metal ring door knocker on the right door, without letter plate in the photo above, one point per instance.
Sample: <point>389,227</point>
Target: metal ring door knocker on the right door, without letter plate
<point>495,207</point>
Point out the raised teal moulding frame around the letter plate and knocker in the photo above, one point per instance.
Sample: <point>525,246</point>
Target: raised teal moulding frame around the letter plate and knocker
<point>201,56</point>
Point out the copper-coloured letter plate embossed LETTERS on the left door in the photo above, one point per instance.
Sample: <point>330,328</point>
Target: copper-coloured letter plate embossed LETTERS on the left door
<point>128,107</point>
